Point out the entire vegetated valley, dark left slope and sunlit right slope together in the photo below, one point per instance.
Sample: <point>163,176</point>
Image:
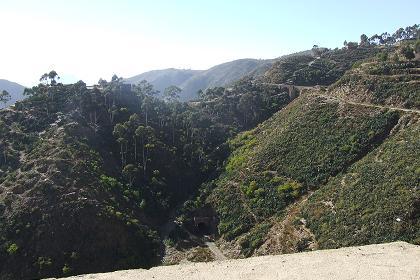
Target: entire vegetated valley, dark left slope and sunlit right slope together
<point>89,175</point>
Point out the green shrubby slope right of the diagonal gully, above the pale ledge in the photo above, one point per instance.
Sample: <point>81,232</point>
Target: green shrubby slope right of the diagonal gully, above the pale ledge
<point>376,200</point>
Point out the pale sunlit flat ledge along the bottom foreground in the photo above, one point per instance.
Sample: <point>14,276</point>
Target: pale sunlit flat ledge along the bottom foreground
<point>398,260</point>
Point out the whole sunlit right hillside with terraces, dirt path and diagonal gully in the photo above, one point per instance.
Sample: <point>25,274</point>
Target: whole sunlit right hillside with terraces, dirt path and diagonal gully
<point>332,169</point>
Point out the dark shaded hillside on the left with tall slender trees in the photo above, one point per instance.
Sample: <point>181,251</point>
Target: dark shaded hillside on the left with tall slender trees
<point>100,170</point>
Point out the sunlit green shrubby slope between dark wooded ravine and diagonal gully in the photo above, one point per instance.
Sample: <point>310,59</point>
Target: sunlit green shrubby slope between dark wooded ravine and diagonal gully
<point>275,164</point>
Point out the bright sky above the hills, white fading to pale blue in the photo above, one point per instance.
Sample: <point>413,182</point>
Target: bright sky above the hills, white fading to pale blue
<point>91,39</point>
